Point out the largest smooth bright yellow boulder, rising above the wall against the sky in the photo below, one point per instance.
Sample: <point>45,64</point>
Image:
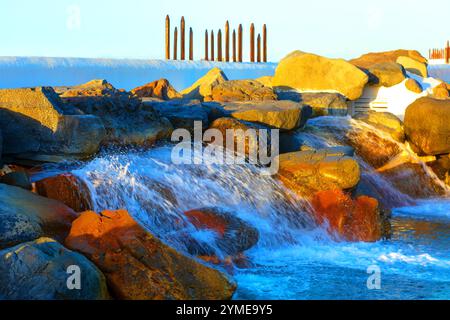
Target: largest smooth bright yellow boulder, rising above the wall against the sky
<point>309,72</point>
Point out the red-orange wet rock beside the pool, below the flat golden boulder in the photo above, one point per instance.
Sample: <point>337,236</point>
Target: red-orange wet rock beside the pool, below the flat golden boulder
<point>348,219</point>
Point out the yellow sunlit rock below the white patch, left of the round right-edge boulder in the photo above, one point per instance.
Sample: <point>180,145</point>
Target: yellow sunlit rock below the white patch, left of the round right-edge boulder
<point>384,121</point>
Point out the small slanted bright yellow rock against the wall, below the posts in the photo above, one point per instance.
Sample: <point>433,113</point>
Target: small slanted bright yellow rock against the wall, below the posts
<point>203,87</point>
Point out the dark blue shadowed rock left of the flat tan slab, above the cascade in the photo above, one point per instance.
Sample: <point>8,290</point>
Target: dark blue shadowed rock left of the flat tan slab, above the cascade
<point>181,113</point>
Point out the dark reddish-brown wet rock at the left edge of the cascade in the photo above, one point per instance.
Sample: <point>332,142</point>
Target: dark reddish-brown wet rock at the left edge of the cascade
<point>68,189</point>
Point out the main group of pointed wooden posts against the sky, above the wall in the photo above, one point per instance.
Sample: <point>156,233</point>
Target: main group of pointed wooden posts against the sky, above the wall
<point>235,48</point>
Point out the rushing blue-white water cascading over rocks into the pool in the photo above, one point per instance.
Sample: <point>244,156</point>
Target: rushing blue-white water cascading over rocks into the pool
<point>294,258</point>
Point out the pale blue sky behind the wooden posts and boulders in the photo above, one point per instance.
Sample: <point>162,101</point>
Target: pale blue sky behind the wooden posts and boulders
<point>135,28</point>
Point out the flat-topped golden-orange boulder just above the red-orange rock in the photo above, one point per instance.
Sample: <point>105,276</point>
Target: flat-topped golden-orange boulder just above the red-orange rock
<point>307,172</point>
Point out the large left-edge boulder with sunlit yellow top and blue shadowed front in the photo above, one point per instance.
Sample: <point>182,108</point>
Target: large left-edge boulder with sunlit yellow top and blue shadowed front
<point>36,127</point>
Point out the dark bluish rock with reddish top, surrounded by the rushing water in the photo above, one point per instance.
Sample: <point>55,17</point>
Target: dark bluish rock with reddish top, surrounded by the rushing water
<point>232,235</point>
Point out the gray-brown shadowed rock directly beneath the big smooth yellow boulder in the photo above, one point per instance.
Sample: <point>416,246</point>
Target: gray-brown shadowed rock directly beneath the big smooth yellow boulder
<point>321,103</point>
